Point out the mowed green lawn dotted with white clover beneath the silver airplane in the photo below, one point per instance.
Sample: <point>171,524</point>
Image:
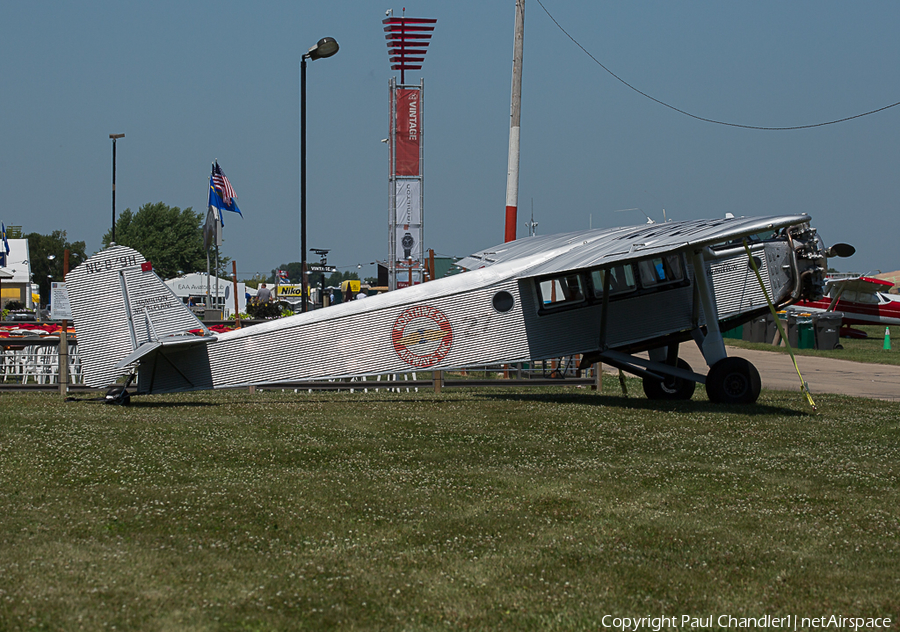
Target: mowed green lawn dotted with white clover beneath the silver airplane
<point>491,509</point>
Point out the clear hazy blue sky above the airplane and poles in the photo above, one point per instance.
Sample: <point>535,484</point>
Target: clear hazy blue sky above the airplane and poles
<point>190,82</point>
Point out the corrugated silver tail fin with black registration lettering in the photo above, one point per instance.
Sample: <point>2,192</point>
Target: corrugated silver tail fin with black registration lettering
<point>118,303</point>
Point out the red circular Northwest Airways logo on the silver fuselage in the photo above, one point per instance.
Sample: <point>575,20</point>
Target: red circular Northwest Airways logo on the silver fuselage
<point>422,336</point>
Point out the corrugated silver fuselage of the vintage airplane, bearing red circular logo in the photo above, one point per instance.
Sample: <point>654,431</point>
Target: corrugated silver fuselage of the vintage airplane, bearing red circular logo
<point>452,323</point>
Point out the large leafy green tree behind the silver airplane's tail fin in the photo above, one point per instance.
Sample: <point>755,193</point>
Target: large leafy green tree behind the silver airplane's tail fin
<point>167,236</point>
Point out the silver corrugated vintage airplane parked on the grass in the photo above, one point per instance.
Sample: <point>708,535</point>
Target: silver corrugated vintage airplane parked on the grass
<point>605,294</point>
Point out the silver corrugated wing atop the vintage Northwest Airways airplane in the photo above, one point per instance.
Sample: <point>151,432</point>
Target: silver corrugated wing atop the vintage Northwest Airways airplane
<point>584,249</point>
